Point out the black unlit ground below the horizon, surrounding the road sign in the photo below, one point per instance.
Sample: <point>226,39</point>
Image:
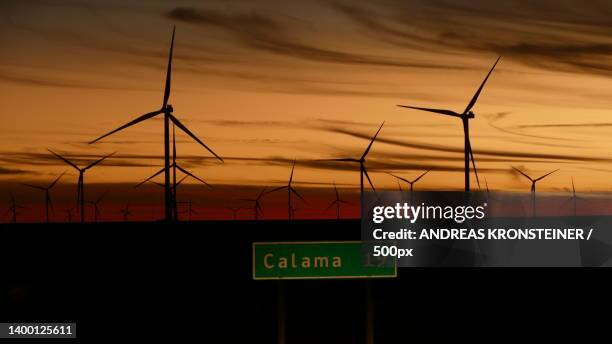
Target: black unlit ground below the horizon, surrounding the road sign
<point>194,280</point>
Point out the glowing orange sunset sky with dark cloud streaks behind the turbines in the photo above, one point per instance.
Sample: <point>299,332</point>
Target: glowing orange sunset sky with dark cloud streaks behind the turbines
<point>264,82</point>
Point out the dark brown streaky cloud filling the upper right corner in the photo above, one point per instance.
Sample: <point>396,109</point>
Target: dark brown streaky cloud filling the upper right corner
<point>566,36</point>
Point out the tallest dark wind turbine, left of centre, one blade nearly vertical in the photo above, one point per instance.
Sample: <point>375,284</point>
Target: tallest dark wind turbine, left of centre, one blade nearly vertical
<point>167,111</point>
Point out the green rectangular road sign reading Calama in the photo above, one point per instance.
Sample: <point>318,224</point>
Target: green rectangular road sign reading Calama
<point>315,260</point>
